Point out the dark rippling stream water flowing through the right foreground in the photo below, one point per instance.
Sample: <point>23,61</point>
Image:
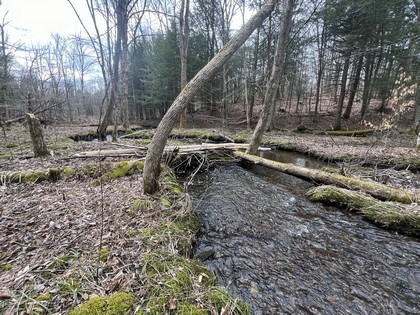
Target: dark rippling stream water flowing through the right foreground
<point>285,255</point>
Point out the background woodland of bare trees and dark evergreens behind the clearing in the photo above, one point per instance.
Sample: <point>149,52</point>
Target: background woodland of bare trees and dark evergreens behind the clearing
<point>344,59</point>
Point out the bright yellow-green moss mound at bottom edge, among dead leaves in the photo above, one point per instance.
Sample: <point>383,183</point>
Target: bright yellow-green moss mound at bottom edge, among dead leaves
<point>120,303</point>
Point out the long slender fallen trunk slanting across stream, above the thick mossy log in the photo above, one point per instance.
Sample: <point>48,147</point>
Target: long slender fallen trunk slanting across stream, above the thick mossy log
<point>376,190</point>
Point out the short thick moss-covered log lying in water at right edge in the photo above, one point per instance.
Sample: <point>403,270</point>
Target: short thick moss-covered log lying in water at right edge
<point>392,215</point>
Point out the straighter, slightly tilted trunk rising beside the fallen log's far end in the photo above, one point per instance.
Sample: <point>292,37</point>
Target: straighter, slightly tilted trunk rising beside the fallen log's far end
<point>276,76</point>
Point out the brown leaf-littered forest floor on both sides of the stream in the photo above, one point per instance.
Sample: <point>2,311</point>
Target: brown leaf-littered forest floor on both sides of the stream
<point>92,232</point>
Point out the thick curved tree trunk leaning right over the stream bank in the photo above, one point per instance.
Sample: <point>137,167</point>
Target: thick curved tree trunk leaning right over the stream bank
<point>154,154</point>
